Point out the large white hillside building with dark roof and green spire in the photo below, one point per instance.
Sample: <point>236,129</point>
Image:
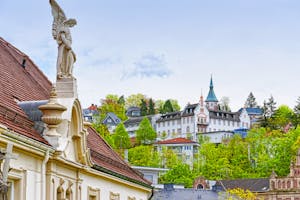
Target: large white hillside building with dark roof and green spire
<point>202,117</point>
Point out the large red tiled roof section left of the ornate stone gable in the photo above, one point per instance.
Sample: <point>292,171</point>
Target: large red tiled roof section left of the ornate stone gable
<point>20,80</point>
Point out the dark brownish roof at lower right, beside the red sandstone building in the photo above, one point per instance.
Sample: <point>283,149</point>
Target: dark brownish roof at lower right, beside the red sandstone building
<point>254,185</point>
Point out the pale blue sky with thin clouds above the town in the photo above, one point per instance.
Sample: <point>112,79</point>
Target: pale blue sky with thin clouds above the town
<point>168,49</point>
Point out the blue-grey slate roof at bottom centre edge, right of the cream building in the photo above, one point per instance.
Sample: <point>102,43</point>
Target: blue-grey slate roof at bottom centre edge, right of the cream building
<point>184,194</point>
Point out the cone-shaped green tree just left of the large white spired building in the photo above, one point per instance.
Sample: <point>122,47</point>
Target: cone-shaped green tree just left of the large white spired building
<point>145,133</point>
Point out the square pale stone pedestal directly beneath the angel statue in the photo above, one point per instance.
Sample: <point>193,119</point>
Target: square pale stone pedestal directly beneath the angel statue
<point>66,88</point>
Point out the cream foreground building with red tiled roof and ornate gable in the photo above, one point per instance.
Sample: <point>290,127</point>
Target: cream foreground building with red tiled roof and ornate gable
<point>49,152</point>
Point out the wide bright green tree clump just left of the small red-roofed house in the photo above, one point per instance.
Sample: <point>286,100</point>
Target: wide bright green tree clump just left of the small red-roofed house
<point>144,156</point>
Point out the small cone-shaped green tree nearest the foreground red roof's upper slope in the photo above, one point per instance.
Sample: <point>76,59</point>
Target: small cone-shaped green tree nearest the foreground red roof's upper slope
<point>121,137</point>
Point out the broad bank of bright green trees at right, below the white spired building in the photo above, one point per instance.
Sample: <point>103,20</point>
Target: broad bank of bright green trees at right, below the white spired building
<point>255,156</point>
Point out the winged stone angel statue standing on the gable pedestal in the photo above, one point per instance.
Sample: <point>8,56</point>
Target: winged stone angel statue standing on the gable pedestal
<point>61,33</point>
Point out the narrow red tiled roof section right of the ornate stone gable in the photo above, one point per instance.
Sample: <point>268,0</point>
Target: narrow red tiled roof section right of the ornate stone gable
<point>109,161</point>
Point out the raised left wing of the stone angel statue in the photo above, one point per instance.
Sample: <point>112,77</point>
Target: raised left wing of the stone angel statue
<point>58,17</point>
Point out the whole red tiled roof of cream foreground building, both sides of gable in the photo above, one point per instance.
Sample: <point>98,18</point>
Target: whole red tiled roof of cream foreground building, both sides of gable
<point>30,84</point>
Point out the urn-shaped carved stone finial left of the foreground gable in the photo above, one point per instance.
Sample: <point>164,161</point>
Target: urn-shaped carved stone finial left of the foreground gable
<point>52,114</point>
